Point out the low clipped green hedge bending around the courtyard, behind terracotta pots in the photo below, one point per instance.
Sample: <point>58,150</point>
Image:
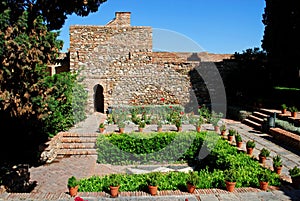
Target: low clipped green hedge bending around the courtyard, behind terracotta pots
<point>211,169</point>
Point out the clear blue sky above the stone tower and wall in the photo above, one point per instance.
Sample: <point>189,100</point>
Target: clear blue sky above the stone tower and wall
<point>215,26</point>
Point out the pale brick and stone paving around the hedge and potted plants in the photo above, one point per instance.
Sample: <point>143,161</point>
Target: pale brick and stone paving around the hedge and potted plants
<point>53,177</point>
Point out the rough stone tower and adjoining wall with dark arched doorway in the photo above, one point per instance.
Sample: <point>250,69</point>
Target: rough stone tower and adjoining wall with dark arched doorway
<point>120,68</point>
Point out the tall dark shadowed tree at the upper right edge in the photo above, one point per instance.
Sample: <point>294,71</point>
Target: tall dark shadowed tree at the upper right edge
<point>281,39</point>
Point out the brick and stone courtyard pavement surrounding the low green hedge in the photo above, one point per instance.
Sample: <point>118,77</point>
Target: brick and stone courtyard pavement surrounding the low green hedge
<point>52,178</point>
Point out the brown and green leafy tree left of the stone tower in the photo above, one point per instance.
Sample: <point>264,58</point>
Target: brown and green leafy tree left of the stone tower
<point>33,105</point>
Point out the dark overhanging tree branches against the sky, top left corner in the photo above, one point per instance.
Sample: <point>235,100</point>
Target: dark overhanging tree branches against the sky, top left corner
<point>53,12</point>
